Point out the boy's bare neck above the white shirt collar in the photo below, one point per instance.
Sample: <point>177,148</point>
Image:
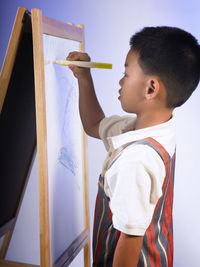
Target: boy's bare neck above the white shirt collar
<point>149,119</point>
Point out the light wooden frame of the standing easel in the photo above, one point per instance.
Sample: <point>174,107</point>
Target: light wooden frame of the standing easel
<point>44,25</point>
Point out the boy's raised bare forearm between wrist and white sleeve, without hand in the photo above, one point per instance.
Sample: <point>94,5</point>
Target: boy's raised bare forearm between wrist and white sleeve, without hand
<point>90,110</point>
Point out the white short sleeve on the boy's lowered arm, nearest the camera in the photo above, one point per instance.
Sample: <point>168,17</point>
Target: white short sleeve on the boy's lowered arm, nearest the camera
<point>134,188</point>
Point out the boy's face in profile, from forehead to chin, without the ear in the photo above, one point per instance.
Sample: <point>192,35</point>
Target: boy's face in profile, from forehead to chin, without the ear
<point>133,85</point>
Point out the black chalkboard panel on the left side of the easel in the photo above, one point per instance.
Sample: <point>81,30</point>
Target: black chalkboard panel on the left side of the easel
<point>17,130</point>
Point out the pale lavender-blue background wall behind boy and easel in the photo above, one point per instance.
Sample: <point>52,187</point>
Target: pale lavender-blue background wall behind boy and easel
<point>108,27</point>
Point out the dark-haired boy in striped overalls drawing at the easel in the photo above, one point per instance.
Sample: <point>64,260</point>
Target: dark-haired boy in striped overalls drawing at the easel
<point>133,214</point>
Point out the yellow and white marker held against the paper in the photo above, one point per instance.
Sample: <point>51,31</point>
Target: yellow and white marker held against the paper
<point>84,64</point>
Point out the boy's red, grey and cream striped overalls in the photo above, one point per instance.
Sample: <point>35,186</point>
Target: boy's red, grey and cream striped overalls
<point>157,249</point>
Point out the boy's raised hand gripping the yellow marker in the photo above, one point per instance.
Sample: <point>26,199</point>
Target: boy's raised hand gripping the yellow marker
<point>79,73</point>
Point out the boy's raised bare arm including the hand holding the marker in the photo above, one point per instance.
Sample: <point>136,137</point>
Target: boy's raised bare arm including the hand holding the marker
<point>90,111</point>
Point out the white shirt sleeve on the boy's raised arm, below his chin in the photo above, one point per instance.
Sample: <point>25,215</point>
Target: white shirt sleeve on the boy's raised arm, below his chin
<point>115,125</point>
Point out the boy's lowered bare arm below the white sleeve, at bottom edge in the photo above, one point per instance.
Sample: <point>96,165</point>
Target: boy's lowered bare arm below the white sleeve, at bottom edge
<point>127,251</point>
